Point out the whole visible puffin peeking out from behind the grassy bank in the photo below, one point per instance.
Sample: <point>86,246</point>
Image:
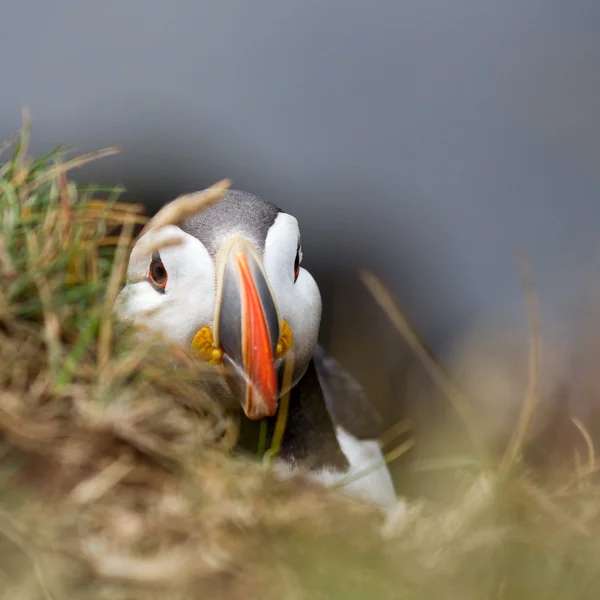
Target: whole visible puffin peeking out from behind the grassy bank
<point>233,291</point>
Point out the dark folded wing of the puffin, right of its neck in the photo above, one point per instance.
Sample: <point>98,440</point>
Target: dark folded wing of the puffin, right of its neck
<point>346,400</point>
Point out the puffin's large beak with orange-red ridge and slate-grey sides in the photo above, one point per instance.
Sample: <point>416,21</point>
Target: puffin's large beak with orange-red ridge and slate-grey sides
<point>247,328</point>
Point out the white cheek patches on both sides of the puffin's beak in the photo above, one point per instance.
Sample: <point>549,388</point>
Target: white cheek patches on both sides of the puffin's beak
<point>187,302</point>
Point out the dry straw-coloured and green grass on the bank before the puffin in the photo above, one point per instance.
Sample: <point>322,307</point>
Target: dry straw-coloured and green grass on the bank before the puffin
<point>116,474</point>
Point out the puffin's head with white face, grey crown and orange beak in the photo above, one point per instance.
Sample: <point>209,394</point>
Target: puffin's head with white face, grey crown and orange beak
<point>233,291</point>
